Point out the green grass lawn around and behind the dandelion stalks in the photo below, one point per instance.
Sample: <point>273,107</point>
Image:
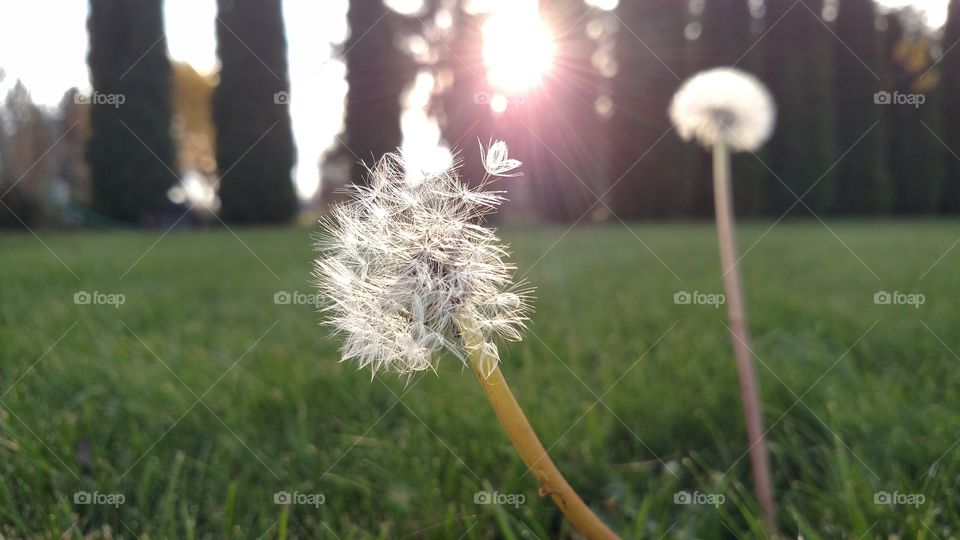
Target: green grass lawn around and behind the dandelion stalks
<point>113,406</point>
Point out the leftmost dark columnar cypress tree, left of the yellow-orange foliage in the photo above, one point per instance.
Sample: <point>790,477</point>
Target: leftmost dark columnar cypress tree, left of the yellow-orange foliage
<point>130,150</point>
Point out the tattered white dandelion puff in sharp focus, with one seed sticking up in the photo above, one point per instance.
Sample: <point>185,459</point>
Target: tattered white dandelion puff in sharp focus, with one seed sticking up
<point>403,263</point>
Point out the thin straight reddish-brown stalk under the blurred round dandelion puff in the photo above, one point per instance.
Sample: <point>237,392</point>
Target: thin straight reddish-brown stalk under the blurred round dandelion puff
<point>740,335</point>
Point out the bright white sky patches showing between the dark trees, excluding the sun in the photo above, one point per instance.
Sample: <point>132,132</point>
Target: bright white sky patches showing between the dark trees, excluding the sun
<point>49,54</point>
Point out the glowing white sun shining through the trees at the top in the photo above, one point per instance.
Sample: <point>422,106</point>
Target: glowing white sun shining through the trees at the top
<point>518,47</point>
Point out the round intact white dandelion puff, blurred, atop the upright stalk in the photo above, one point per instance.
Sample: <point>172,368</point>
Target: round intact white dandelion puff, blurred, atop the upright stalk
<point>724,106</point>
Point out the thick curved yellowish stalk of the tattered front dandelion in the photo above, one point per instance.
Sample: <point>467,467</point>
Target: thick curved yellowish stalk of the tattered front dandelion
<point>526,442</point>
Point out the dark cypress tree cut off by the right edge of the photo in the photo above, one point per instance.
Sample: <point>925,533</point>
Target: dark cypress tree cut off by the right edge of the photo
<point>950,69</point>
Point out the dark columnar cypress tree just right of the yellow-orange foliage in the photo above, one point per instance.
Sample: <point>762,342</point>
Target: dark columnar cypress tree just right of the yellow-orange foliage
<point>254,143</point>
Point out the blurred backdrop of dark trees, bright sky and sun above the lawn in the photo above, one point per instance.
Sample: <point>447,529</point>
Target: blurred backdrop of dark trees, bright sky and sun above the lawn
<point>194,112</point>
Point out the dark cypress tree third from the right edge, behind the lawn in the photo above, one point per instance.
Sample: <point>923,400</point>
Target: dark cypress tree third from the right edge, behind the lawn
<point>864,186</point>
